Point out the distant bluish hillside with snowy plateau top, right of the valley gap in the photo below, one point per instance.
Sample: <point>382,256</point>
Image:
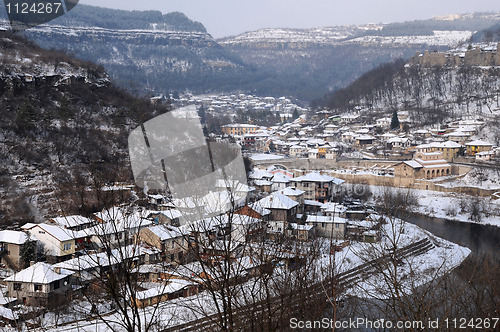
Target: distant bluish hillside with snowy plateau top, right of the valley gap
<point>308,62</point>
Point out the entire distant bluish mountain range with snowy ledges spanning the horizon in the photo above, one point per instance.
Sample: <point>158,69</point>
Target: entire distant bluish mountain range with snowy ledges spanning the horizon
<point>155,53</point>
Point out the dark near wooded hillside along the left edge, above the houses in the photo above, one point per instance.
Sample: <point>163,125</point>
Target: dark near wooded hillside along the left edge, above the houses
<point>64,127</point>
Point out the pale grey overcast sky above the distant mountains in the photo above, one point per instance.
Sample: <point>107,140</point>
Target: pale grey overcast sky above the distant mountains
<point>231,17</point>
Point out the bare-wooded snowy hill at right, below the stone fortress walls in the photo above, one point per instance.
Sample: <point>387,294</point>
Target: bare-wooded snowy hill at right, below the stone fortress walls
<point>433,87</point>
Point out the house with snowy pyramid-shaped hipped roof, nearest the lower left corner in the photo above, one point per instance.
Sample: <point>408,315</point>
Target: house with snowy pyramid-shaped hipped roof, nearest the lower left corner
<point>41,285</point>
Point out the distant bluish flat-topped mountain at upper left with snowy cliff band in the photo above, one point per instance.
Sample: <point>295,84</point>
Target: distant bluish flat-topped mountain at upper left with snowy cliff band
<point>143,51</point>
